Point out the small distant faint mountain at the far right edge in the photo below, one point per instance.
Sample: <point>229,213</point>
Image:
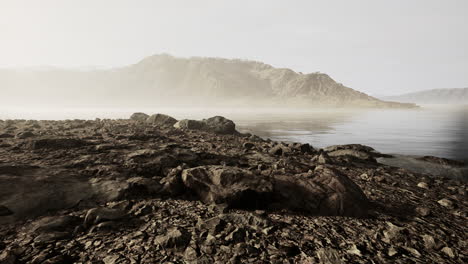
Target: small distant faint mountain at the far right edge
<point>434,96</point>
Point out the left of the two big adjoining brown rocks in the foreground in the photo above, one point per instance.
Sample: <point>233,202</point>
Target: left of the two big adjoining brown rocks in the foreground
<point>234,186</point>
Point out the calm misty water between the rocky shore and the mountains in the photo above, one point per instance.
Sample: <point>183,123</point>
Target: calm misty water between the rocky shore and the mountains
<point>427,131</point>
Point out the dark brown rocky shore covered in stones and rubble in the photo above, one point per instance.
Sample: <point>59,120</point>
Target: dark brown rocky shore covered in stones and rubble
<point>157,190</point>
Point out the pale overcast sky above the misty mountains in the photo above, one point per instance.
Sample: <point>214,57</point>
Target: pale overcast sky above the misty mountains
<point>376,46</point>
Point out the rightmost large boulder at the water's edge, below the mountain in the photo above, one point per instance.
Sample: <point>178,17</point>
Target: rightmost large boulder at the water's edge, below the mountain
<point>216,124</point>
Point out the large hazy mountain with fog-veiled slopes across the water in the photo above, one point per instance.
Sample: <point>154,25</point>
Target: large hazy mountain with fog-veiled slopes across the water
<point>164,80</point>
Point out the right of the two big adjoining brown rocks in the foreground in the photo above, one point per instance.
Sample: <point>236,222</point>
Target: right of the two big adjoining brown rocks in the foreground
<point>326,192</point>
